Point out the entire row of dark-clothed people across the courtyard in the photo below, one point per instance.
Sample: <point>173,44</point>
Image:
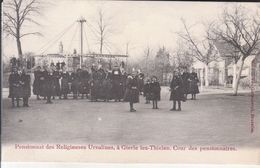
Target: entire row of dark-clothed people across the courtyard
<point>98,84</point>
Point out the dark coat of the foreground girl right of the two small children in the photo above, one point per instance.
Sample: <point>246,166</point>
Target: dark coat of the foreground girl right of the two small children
<point>177,92</point>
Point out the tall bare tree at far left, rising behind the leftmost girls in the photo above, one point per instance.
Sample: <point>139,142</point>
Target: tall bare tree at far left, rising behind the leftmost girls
<point>15,15</point>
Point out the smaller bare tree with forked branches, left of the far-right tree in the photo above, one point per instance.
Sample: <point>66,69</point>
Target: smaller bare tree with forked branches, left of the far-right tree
<point>203,50</point>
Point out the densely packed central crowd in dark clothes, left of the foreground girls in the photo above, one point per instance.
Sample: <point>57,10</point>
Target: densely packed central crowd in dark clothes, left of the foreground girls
<point>98,84</point>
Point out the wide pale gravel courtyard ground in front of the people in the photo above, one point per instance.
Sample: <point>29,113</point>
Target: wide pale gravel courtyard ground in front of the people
<point>217,119</point>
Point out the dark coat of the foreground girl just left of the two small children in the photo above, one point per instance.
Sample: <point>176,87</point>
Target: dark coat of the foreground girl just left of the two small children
<point>132,92</point>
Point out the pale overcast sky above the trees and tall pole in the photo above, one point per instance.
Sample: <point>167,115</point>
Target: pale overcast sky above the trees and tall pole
<point>137,23</point>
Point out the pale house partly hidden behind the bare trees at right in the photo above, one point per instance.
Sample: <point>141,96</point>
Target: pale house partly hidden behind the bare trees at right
<point>221,70</point>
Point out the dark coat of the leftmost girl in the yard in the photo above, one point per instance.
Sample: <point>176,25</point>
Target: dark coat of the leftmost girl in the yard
<point>15,86</point>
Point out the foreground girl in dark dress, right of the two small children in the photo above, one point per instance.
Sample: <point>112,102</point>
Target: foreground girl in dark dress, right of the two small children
<point>177,93</point>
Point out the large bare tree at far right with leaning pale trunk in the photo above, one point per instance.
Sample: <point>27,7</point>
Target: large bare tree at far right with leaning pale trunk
<point>240,31</point>
